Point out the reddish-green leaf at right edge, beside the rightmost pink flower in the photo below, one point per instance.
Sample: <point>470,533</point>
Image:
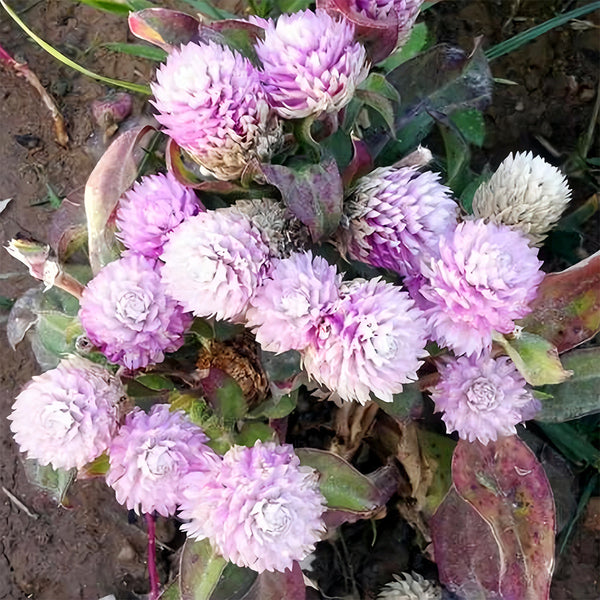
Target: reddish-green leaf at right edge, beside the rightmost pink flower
<point>566,310</point>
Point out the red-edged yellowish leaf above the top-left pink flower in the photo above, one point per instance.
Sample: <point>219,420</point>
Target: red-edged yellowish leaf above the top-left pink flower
<point>163,27</point>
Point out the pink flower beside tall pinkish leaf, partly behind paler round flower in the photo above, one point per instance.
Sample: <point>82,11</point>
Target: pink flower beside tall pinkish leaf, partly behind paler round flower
<point>151,210</point>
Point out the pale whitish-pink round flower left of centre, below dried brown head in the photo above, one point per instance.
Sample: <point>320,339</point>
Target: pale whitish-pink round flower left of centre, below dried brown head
<point>213,264</point>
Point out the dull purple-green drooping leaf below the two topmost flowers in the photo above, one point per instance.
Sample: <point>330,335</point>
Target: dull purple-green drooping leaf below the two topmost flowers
<point>313,193</point>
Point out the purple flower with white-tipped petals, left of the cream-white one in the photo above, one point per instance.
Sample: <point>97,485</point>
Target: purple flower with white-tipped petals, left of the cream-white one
<point>396,217</point>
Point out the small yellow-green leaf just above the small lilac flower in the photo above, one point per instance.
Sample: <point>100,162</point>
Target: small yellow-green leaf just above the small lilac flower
<point>535,358</point>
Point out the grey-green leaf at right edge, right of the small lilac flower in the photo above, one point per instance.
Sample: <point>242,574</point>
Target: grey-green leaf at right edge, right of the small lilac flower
<point>578,396</point>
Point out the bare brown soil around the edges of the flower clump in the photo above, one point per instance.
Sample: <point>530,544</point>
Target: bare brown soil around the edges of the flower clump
<point>93,549</point>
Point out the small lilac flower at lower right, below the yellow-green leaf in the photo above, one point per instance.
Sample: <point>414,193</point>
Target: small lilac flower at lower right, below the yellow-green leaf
<point>482,397</point>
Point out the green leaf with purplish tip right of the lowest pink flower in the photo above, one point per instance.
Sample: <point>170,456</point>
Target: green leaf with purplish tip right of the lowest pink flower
<point>343,486</point>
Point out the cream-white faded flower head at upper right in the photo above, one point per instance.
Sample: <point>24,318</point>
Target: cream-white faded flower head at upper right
<point>525,193</point>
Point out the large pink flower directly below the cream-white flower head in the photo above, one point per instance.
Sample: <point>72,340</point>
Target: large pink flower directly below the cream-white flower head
<point>485,278</point>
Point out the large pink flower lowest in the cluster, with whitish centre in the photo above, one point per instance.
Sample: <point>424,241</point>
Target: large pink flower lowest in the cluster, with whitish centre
<point>260,510</point>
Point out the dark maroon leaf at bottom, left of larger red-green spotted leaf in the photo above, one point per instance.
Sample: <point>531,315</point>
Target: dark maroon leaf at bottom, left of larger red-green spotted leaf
<point>466,553</point>
